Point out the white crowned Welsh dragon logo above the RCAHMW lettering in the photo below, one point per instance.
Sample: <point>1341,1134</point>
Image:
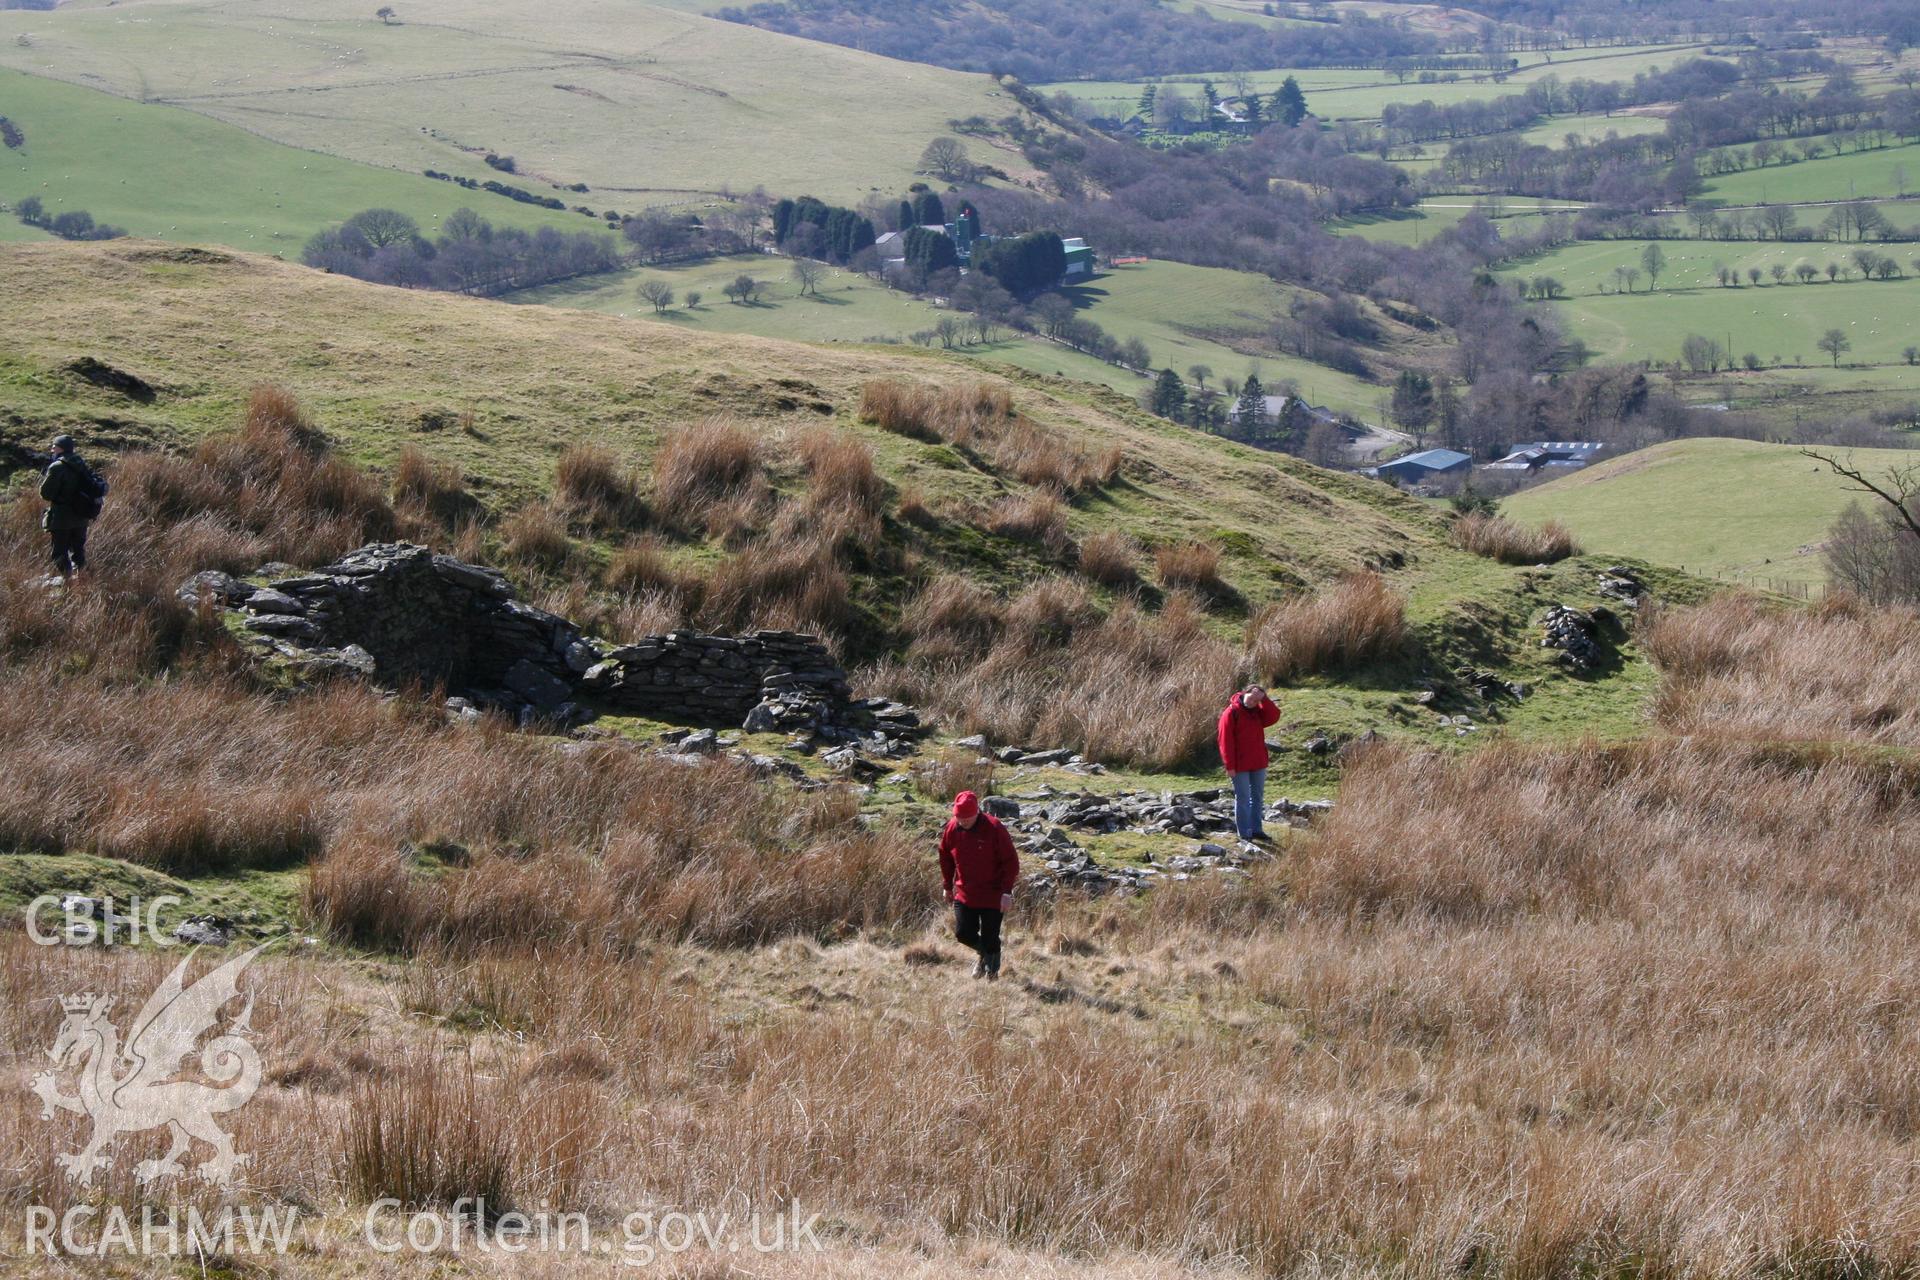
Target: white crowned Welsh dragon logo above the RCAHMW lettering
<point>132,1089</point>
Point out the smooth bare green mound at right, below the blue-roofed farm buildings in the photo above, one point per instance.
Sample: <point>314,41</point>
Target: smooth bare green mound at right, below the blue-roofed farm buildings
<point>1733,508</point>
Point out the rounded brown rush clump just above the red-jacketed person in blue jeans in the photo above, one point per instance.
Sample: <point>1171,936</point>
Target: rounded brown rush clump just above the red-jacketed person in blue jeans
<point>1341,627</point>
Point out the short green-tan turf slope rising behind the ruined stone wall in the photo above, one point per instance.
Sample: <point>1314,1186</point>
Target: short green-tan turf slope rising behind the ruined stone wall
<point>391,371</point>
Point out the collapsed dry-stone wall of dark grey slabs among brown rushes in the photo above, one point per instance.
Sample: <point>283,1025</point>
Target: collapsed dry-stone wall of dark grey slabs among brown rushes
<point>402,615</point>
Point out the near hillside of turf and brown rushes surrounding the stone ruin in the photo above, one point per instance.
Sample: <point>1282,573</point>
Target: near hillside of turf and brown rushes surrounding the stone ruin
<point>1512,1008</point>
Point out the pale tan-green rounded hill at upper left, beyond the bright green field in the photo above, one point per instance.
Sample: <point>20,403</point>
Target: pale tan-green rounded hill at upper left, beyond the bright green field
<point>631,99</point>
